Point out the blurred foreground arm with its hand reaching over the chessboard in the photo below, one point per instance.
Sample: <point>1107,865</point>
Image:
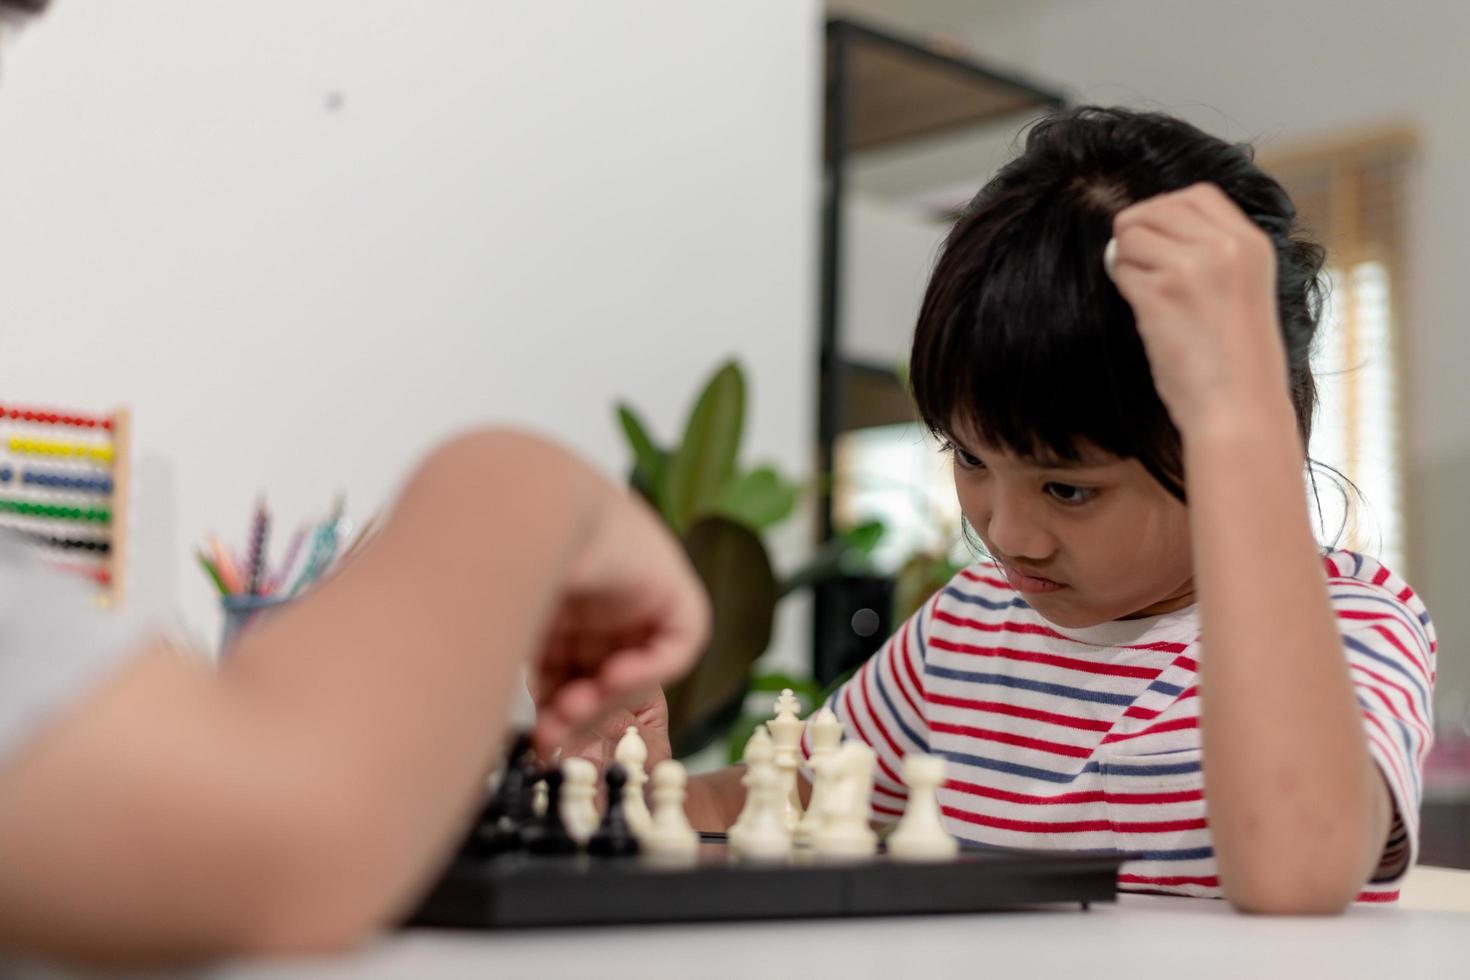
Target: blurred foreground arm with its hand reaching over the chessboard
<point>306,793</point>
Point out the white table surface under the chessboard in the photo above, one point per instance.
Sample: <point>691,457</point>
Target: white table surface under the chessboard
<point>1136,940</point>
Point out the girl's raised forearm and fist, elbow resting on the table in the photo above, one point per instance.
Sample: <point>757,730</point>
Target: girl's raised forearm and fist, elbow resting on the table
<point>1299,812</point>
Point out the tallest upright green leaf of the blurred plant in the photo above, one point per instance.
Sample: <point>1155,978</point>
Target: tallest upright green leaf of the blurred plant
<point>705,462</point>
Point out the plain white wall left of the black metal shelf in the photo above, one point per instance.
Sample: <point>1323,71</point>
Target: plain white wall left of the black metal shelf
<point>517,212</point>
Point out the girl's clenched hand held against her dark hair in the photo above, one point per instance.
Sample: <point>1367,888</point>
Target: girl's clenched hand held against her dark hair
<point>1202,280</point>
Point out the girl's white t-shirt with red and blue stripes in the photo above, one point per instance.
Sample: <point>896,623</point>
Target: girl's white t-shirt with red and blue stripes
<point>1089,740</point>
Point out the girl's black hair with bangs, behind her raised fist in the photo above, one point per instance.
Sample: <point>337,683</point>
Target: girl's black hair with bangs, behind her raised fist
<point>1024,337</point>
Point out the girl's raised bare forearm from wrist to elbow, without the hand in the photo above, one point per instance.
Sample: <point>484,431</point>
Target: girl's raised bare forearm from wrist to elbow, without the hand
<point>1299,812</point>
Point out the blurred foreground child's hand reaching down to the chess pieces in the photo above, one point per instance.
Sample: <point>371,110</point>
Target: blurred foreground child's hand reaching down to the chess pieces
<point>633,616</point>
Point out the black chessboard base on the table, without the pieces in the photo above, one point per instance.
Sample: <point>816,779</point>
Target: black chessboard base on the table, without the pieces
<point>521,890</point>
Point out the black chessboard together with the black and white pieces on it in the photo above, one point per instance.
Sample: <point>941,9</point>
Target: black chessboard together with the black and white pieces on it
<point>545,853</point>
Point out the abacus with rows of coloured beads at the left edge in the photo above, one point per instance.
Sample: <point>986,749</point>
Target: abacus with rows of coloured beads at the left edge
<point>64,486</point>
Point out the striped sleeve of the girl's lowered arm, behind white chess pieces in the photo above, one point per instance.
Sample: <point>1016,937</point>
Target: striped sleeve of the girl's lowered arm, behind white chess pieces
<point>883,706</point>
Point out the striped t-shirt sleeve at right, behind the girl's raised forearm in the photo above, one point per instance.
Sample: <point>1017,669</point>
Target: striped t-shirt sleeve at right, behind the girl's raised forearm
<point>1390,644</point>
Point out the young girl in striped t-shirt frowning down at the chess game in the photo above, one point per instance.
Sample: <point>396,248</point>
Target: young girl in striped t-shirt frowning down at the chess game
<point>1115,350</point>
